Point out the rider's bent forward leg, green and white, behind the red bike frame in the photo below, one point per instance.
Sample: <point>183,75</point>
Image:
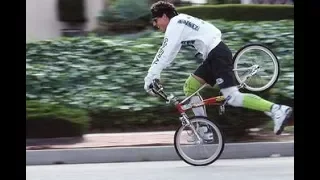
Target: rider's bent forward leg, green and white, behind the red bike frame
<point>192,84</point>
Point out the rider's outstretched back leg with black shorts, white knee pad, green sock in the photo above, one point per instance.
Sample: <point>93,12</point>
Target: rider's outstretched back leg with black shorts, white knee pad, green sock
<point>222,69</point>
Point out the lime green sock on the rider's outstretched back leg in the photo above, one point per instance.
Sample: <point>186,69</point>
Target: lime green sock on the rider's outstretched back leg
<point>255,102</point>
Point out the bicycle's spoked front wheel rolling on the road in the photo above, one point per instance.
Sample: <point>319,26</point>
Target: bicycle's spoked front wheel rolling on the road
<point>200,143</point>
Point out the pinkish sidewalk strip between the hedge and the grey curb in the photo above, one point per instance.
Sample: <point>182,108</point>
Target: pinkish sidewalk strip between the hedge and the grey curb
<point>127,140</point>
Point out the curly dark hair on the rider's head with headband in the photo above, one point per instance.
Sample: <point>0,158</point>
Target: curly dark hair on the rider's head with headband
<point>163,7</point>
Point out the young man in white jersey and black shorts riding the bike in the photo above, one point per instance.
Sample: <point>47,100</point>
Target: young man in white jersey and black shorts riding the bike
<point>183,29</point>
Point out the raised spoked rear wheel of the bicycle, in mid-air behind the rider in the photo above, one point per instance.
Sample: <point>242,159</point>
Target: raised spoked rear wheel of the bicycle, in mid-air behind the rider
<point>256,67</point>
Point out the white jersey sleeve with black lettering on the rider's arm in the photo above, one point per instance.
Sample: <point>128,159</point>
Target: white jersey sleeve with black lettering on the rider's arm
<point>168,51</point>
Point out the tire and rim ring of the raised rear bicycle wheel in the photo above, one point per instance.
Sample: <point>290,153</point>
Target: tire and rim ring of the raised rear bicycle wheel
<point>256,46</point>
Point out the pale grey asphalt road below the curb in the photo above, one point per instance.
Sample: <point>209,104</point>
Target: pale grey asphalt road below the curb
<point>276,168</point>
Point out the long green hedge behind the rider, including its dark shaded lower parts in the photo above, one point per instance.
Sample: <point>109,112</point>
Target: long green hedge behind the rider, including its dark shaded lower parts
<point>105,75</point>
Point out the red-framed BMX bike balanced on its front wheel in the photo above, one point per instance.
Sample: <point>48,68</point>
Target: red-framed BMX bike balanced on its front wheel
<point>246,68</point>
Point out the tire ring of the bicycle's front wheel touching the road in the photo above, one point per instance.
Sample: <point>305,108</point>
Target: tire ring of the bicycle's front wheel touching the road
<point>219,133</point>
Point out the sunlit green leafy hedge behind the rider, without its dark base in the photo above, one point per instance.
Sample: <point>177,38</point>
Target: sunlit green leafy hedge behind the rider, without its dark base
<point>93,72</point>
